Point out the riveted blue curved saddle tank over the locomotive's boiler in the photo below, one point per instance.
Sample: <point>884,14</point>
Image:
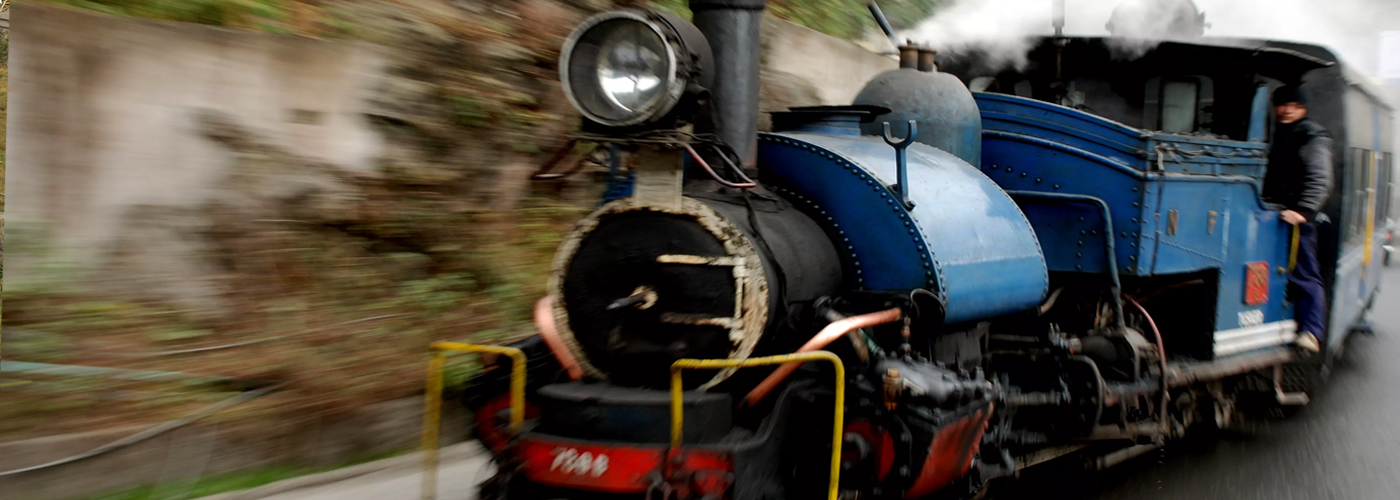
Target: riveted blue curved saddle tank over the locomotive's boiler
<point>965,239</point>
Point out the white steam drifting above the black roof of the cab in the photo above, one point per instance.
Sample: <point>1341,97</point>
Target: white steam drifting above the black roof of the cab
<point>1349,27</point>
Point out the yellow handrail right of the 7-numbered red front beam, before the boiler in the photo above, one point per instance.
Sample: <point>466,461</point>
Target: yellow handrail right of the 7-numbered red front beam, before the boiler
<point>678,398</point>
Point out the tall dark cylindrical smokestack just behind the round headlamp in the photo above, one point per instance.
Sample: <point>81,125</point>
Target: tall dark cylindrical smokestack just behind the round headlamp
<point>734,30</point>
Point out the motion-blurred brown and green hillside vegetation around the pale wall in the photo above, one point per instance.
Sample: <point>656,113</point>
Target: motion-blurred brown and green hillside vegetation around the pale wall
<point>460,256</point>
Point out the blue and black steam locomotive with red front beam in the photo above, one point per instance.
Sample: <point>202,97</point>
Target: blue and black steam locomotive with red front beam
<point>1072,261</point>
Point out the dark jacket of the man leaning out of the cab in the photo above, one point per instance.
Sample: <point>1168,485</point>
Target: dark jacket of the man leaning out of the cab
<point>1300,167</point>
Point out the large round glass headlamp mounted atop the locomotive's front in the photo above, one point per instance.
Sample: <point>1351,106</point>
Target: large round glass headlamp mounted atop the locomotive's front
<point>632,67</point>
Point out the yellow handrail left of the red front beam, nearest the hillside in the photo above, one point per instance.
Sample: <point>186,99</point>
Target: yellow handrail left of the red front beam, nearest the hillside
<point>433,403</point>
